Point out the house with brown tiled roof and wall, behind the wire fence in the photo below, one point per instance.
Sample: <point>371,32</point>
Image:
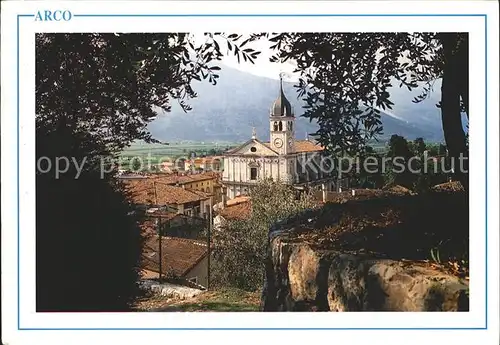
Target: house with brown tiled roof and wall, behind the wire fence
<point>181,258</point>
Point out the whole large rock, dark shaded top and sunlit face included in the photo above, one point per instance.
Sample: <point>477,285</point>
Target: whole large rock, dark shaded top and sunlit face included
<point>368,252</point>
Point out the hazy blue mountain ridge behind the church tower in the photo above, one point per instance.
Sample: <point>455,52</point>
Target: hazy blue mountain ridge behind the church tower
<point>240,101</point>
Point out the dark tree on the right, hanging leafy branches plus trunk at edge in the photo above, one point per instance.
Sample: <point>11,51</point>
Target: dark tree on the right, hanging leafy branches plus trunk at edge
<point>345,77</point>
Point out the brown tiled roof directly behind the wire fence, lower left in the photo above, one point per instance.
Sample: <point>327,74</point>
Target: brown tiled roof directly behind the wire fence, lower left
<point>179,255</point>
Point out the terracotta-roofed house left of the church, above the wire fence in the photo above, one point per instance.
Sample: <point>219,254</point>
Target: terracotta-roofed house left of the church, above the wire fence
<point>151,192</point>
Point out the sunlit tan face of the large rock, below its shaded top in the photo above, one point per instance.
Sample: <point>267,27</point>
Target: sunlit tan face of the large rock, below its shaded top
<point>299,277</point>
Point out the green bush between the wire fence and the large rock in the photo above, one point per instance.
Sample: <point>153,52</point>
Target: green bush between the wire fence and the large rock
<point>240,248</point>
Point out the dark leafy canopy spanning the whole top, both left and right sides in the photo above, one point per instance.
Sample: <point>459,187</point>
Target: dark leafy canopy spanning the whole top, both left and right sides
<point>109,85</point>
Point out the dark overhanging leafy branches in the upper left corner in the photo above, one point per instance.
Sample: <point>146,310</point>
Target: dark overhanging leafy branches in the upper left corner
<point>109,85</point>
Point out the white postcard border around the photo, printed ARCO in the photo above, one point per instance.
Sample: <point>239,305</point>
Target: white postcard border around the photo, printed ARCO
<point>475,25</point>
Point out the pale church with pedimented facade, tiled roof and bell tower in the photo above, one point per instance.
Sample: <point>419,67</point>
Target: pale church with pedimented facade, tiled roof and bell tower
<point>299,163</point>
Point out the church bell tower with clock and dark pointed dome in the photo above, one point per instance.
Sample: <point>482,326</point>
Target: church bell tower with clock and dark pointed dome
<point>282,124</point>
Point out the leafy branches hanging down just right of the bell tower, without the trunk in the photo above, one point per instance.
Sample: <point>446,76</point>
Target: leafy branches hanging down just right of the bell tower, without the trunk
<point>345,77</point>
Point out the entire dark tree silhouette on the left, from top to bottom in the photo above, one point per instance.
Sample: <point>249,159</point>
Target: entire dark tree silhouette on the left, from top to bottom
<point>95,94</point>
